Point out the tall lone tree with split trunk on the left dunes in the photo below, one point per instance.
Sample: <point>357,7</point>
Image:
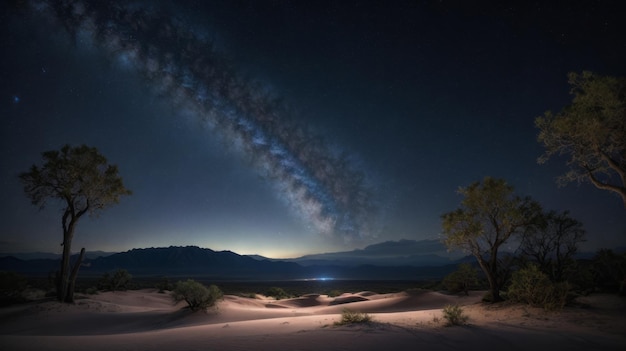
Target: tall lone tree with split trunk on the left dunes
<point>82,180</point>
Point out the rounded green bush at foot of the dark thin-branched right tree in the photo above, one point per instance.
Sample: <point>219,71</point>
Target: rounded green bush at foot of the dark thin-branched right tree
<point>530,285</point>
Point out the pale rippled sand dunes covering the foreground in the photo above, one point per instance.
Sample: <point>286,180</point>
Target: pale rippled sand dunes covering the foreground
<point>147,320</point>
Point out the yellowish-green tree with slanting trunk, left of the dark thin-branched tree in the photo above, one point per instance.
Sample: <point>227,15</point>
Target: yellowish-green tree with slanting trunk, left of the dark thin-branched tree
<point>489,216</point>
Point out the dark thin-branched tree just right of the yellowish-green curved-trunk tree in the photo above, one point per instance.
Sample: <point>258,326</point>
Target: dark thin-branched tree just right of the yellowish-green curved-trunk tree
<point>553,242</point>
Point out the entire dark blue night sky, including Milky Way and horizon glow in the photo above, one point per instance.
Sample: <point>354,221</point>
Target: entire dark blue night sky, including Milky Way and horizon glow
<point>284,128</point>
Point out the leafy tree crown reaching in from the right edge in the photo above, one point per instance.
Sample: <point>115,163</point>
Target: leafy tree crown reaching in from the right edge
<point>591,132</point>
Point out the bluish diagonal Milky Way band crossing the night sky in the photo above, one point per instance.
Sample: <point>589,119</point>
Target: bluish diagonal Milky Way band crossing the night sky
<point>320,185</point>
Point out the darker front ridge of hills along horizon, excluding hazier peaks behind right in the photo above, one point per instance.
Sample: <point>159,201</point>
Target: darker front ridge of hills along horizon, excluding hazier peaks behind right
<point>192,261</point>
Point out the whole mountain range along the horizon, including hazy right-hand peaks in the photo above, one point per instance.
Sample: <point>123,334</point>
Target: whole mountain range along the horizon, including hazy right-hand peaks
<point>406,259</point>
